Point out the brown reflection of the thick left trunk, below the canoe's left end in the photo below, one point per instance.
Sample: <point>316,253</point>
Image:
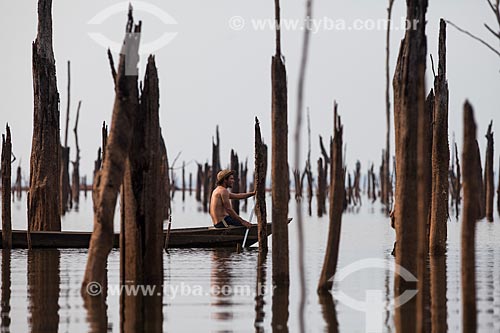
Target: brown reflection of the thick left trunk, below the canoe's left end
<point>43,289</point>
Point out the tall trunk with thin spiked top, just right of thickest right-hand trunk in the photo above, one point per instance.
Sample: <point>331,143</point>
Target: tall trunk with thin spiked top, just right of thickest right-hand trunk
<point>440,153</point>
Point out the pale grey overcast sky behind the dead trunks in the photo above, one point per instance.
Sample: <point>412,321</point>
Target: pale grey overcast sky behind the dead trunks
<point>212,74</point>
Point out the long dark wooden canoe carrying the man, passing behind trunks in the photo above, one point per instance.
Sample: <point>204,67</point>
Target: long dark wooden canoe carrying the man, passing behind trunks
<point>188,237</point>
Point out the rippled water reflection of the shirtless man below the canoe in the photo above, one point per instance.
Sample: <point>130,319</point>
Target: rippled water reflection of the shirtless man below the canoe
<point>220,281</point>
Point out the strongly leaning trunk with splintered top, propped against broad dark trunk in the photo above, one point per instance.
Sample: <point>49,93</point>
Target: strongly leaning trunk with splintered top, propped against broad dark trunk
<point>109,179</point>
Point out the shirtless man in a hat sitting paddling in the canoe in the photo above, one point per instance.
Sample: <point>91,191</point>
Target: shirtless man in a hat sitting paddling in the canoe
<point>221,211</point>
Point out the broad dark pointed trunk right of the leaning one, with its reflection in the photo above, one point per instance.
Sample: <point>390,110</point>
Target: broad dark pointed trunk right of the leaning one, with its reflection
<point>141,239</point>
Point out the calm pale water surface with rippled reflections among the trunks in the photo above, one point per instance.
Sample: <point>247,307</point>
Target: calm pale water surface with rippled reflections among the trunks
<point>209,290</point>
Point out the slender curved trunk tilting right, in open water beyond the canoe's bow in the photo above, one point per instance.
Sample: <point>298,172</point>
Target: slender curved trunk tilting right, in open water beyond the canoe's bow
<point>337,188</point>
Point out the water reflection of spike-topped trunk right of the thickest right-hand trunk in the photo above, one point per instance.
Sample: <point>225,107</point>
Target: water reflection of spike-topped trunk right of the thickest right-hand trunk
<point>438,294</point>
